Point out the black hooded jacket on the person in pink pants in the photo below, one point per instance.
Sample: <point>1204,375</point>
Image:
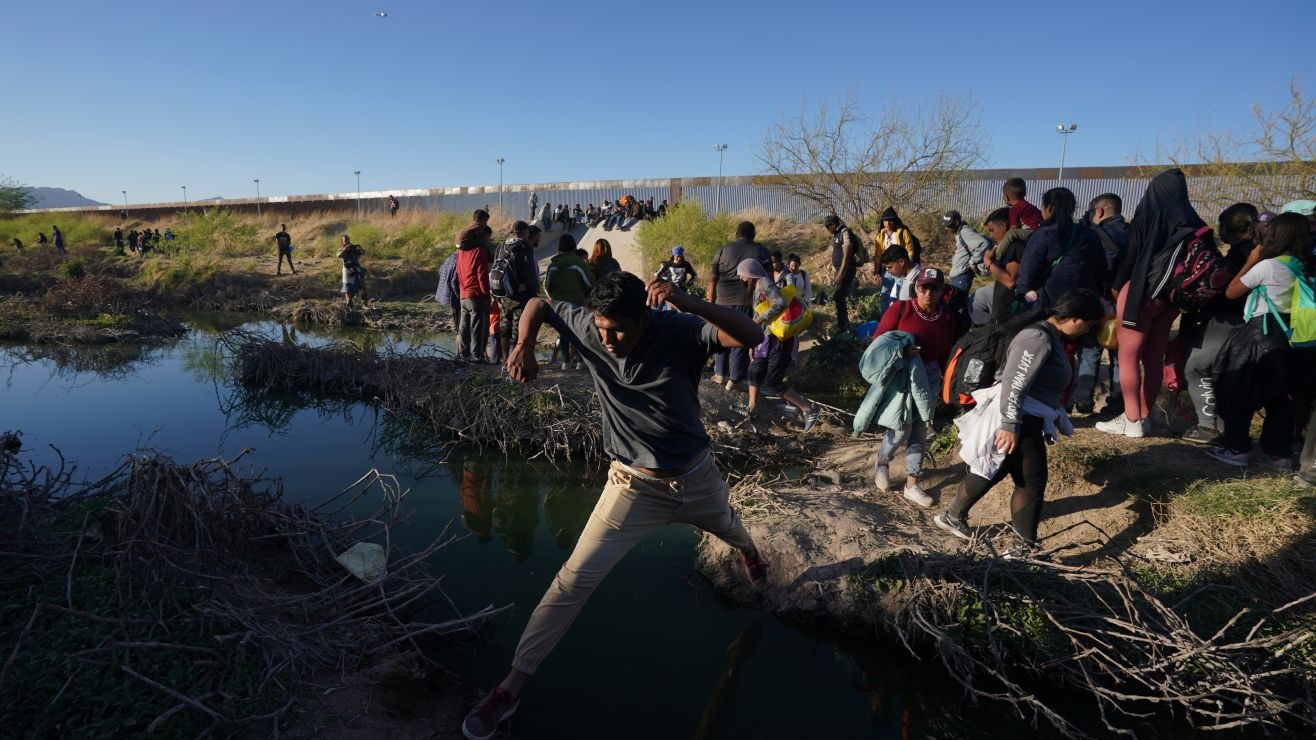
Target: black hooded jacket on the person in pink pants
<point>1164,221</point>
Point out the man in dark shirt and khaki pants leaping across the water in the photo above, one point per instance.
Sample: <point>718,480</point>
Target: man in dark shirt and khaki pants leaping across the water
<point>647,367</point>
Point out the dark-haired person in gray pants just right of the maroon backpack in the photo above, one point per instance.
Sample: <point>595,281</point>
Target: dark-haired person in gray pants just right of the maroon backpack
<point>1209,330</point>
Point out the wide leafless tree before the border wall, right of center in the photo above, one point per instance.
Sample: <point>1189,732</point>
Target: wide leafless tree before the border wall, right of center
<point>851,165</point>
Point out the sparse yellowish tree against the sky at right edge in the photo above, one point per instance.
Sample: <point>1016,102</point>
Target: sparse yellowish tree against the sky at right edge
<point>1272,163</point>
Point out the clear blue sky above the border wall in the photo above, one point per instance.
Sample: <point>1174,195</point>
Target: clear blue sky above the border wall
<point>152,95</point>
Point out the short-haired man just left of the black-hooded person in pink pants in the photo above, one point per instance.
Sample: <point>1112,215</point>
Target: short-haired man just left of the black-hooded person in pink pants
<point>1105,217</point>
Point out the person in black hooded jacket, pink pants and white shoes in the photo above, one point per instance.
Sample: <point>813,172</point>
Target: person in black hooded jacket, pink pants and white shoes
<point>1164,222</point>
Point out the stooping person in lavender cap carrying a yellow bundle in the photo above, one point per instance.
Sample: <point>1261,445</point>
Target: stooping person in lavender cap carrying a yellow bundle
<point>773,357</point>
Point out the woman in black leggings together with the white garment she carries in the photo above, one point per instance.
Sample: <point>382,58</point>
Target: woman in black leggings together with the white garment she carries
<point>1009,429</point>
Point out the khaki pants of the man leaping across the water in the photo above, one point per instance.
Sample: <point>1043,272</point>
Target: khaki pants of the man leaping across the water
<point>628,512</point>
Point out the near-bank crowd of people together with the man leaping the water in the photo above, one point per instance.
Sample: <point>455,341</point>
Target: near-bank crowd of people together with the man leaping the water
<point>1055,280</point>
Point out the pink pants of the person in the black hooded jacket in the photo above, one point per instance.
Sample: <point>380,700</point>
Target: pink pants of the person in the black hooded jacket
<point>1143,354</point>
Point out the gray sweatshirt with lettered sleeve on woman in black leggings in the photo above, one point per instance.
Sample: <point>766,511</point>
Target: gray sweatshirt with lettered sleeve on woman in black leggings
<point>1036,365</point>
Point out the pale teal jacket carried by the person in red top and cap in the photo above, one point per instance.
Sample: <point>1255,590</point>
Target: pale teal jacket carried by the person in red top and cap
<point>899,389</point>
